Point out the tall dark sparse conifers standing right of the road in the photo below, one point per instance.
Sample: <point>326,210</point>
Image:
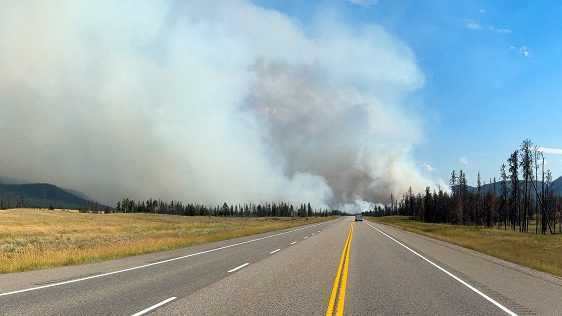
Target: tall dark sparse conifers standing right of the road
<point>522,195</point>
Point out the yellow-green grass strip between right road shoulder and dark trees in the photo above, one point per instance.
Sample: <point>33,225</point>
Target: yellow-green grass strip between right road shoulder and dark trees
<point>540,252</point>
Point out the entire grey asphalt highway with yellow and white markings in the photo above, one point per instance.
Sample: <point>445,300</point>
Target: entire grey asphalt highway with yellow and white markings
<point>382,271</point>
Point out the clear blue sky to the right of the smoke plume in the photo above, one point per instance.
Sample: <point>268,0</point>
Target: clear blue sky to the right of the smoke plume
<point>492,71</point>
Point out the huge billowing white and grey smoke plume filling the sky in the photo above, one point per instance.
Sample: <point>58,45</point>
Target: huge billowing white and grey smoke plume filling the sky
<point>204,101</point>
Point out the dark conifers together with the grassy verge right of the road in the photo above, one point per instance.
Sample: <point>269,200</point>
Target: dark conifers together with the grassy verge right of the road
<point>517,218</point>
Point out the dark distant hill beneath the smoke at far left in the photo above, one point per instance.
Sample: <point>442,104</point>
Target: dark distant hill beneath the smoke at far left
<point>43,195</point>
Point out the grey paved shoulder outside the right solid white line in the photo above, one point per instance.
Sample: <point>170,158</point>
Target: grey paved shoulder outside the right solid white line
<point>525,290</point>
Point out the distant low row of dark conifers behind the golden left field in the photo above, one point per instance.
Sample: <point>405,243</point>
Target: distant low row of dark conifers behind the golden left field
<point>276,209</point>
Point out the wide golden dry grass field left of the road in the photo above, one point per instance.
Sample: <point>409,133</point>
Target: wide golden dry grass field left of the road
<point>33,239</point>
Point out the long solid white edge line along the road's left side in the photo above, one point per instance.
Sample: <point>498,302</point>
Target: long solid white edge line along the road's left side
<point>152,264</point>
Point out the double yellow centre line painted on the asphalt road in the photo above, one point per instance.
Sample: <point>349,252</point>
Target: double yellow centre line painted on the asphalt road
<point>340,282</point>
